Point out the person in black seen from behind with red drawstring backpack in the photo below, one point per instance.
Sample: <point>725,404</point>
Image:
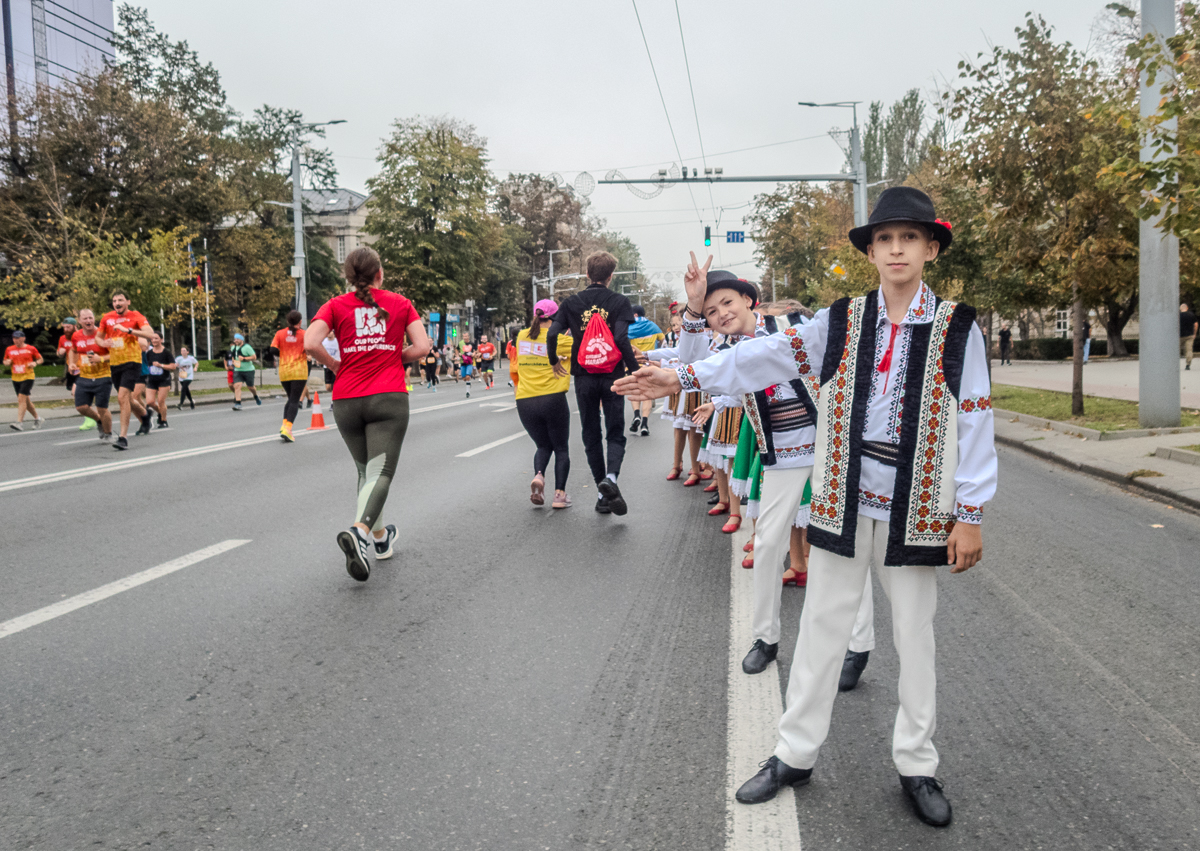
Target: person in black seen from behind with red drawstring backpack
<point>593,391</point>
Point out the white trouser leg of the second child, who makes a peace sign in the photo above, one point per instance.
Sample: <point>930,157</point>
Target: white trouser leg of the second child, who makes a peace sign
<point>782,494</point>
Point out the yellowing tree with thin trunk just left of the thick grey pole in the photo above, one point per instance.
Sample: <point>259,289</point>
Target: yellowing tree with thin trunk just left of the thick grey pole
<point>1030,147</point>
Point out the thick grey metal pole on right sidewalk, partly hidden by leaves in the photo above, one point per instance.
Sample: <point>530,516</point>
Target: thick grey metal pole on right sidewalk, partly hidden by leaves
<point>1159,269</point>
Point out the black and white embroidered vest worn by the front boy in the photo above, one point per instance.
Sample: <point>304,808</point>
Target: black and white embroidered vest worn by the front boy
<point>920,524</point>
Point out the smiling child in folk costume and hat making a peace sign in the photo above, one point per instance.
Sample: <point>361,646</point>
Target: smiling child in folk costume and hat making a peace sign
<point>784,418</point>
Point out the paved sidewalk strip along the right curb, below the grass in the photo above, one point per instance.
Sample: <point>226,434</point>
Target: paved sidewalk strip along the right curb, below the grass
<point>1115,460</point>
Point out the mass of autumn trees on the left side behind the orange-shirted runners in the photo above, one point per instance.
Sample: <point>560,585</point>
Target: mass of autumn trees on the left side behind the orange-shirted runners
<point>117,181</point>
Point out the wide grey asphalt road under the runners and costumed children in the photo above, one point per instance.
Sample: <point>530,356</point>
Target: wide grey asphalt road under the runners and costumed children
<point>523,679</point>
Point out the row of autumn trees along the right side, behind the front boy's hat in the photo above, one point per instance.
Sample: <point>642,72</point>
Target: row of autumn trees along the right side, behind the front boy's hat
<point>1034,159</point>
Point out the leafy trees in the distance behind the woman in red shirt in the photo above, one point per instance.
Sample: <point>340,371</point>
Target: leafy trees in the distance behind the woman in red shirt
<point>448,231</point>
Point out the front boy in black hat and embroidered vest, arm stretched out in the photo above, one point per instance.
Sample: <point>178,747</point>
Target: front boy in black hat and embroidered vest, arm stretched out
<point>905,462</point>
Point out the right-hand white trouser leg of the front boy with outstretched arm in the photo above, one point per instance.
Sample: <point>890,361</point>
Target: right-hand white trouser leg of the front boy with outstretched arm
<point>914,595</point>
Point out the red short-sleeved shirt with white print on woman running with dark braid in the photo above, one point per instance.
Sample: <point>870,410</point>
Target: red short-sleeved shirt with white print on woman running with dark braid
<point>371,346</point>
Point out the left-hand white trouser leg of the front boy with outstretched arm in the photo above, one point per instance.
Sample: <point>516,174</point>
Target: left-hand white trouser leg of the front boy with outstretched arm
<point>831,606</point>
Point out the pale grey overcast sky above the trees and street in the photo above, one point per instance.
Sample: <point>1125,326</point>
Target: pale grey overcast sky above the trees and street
<point>567,87</point>
